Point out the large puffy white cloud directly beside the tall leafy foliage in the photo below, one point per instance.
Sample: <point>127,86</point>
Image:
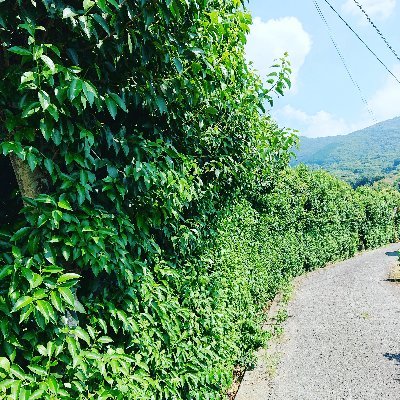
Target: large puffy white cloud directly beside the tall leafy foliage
<point>269,41</point>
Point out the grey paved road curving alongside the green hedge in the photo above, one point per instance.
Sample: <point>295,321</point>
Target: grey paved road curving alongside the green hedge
<point>341,340</point>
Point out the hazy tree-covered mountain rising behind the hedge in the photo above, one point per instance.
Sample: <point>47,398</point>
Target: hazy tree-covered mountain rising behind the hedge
<point>361,157</point>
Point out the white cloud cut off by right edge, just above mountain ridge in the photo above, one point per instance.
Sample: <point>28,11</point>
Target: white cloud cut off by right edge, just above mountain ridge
<point>385,102</point>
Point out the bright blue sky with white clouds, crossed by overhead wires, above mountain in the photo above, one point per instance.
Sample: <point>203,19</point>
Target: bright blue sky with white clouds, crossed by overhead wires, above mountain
<point>323,100</point>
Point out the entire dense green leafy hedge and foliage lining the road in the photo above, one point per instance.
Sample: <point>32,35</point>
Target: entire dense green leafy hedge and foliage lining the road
<point>159,216</point>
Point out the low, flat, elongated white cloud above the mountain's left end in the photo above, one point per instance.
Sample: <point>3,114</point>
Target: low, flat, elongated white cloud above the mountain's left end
<point>319,124</point>
